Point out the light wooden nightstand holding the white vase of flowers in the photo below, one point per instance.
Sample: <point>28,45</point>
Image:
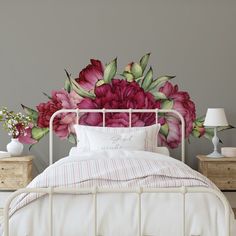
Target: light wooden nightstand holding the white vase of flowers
<point>15,172</point>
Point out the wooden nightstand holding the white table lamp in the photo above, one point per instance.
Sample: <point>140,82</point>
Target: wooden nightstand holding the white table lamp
<point>221,171</point>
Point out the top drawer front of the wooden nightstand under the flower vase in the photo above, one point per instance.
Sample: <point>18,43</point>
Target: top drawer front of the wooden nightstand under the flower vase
<point>7,169</point>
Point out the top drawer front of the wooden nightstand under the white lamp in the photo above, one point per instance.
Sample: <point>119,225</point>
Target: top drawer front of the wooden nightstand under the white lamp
<point>221,169</point>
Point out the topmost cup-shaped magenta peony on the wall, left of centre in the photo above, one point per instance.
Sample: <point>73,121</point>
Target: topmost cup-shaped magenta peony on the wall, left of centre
<point>90,75</point>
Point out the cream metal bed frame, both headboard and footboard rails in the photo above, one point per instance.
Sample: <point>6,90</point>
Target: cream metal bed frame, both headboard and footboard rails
<point>95,191</point>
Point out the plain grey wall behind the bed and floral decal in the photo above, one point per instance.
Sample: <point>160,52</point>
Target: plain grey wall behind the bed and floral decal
<point>194,40</point>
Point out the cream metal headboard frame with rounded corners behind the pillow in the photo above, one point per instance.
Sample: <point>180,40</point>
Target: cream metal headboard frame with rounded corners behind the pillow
<point>104,111</point>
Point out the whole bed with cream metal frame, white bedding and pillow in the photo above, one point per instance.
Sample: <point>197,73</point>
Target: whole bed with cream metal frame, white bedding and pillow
<point>118,183</point>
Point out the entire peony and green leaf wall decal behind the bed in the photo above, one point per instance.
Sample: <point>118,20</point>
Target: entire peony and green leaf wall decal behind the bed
<point>100,86</point>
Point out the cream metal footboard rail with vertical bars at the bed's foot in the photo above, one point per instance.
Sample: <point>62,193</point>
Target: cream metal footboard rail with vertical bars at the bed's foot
<point>95,191</point>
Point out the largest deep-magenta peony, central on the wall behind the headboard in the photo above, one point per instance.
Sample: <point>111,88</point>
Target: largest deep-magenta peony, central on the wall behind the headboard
<point>117,95</point>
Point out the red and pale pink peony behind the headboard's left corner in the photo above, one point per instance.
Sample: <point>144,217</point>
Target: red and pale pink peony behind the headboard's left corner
<point>63,124</point>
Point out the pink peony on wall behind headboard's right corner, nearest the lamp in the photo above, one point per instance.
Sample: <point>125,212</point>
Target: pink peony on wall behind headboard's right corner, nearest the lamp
<point>183,104</point>
